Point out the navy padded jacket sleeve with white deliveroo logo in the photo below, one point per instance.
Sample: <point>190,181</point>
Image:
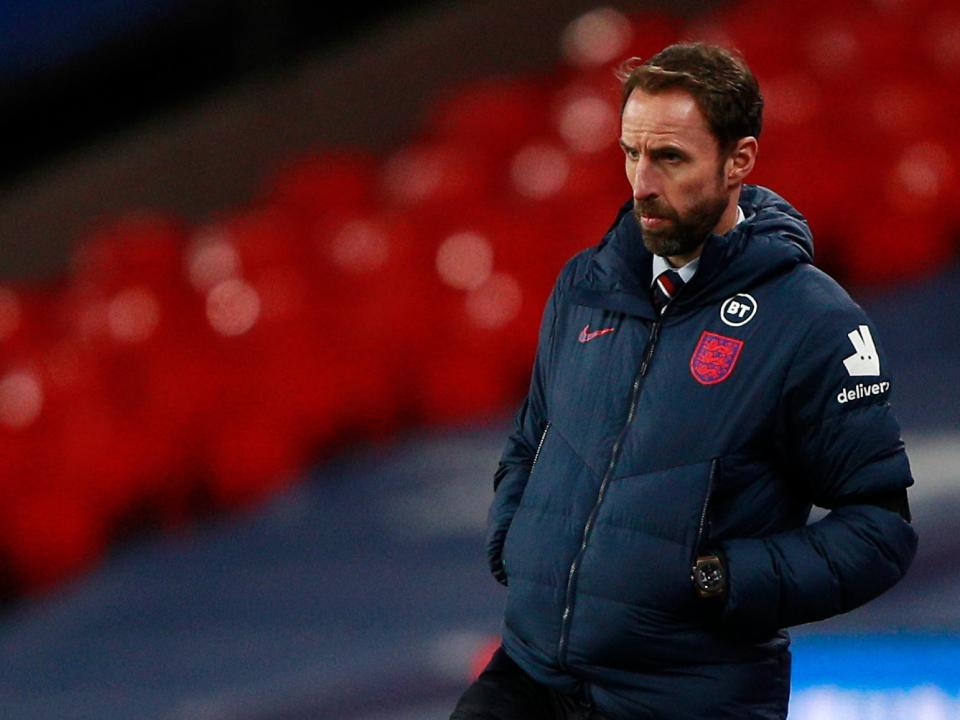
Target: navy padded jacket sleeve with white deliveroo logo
<point>843,445</point>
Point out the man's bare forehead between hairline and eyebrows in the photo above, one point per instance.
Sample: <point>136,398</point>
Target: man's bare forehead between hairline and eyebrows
<point>667,115</point>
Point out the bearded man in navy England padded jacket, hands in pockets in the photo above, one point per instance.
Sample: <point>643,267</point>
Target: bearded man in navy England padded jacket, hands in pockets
<point>699,384</point>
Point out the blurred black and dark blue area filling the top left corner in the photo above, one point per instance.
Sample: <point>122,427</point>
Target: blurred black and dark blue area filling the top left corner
<point>75,73</point>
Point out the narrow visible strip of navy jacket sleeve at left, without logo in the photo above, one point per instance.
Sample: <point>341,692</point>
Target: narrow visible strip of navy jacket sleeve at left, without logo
<point>530,423</point>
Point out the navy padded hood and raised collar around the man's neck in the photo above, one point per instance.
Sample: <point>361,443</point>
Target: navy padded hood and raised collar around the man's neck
<point>772,239</point>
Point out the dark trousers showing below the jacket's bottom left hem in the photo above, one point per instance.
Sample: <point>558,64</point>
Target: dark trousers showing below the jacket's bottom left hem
<point>504,692</point>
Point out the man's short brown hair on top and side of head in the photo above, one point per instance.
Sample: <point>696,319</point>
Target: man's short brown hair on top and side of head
<point>719,80</point>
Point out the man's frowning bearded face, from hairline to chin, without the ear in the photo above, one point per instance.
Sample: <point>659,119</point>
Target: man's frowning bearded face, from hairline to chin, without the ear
<point>674,167</point>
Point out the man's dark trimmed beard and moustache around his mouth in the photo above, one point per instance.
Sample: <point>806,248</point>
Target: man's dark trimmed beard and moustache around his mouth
<point>680,235</point>
